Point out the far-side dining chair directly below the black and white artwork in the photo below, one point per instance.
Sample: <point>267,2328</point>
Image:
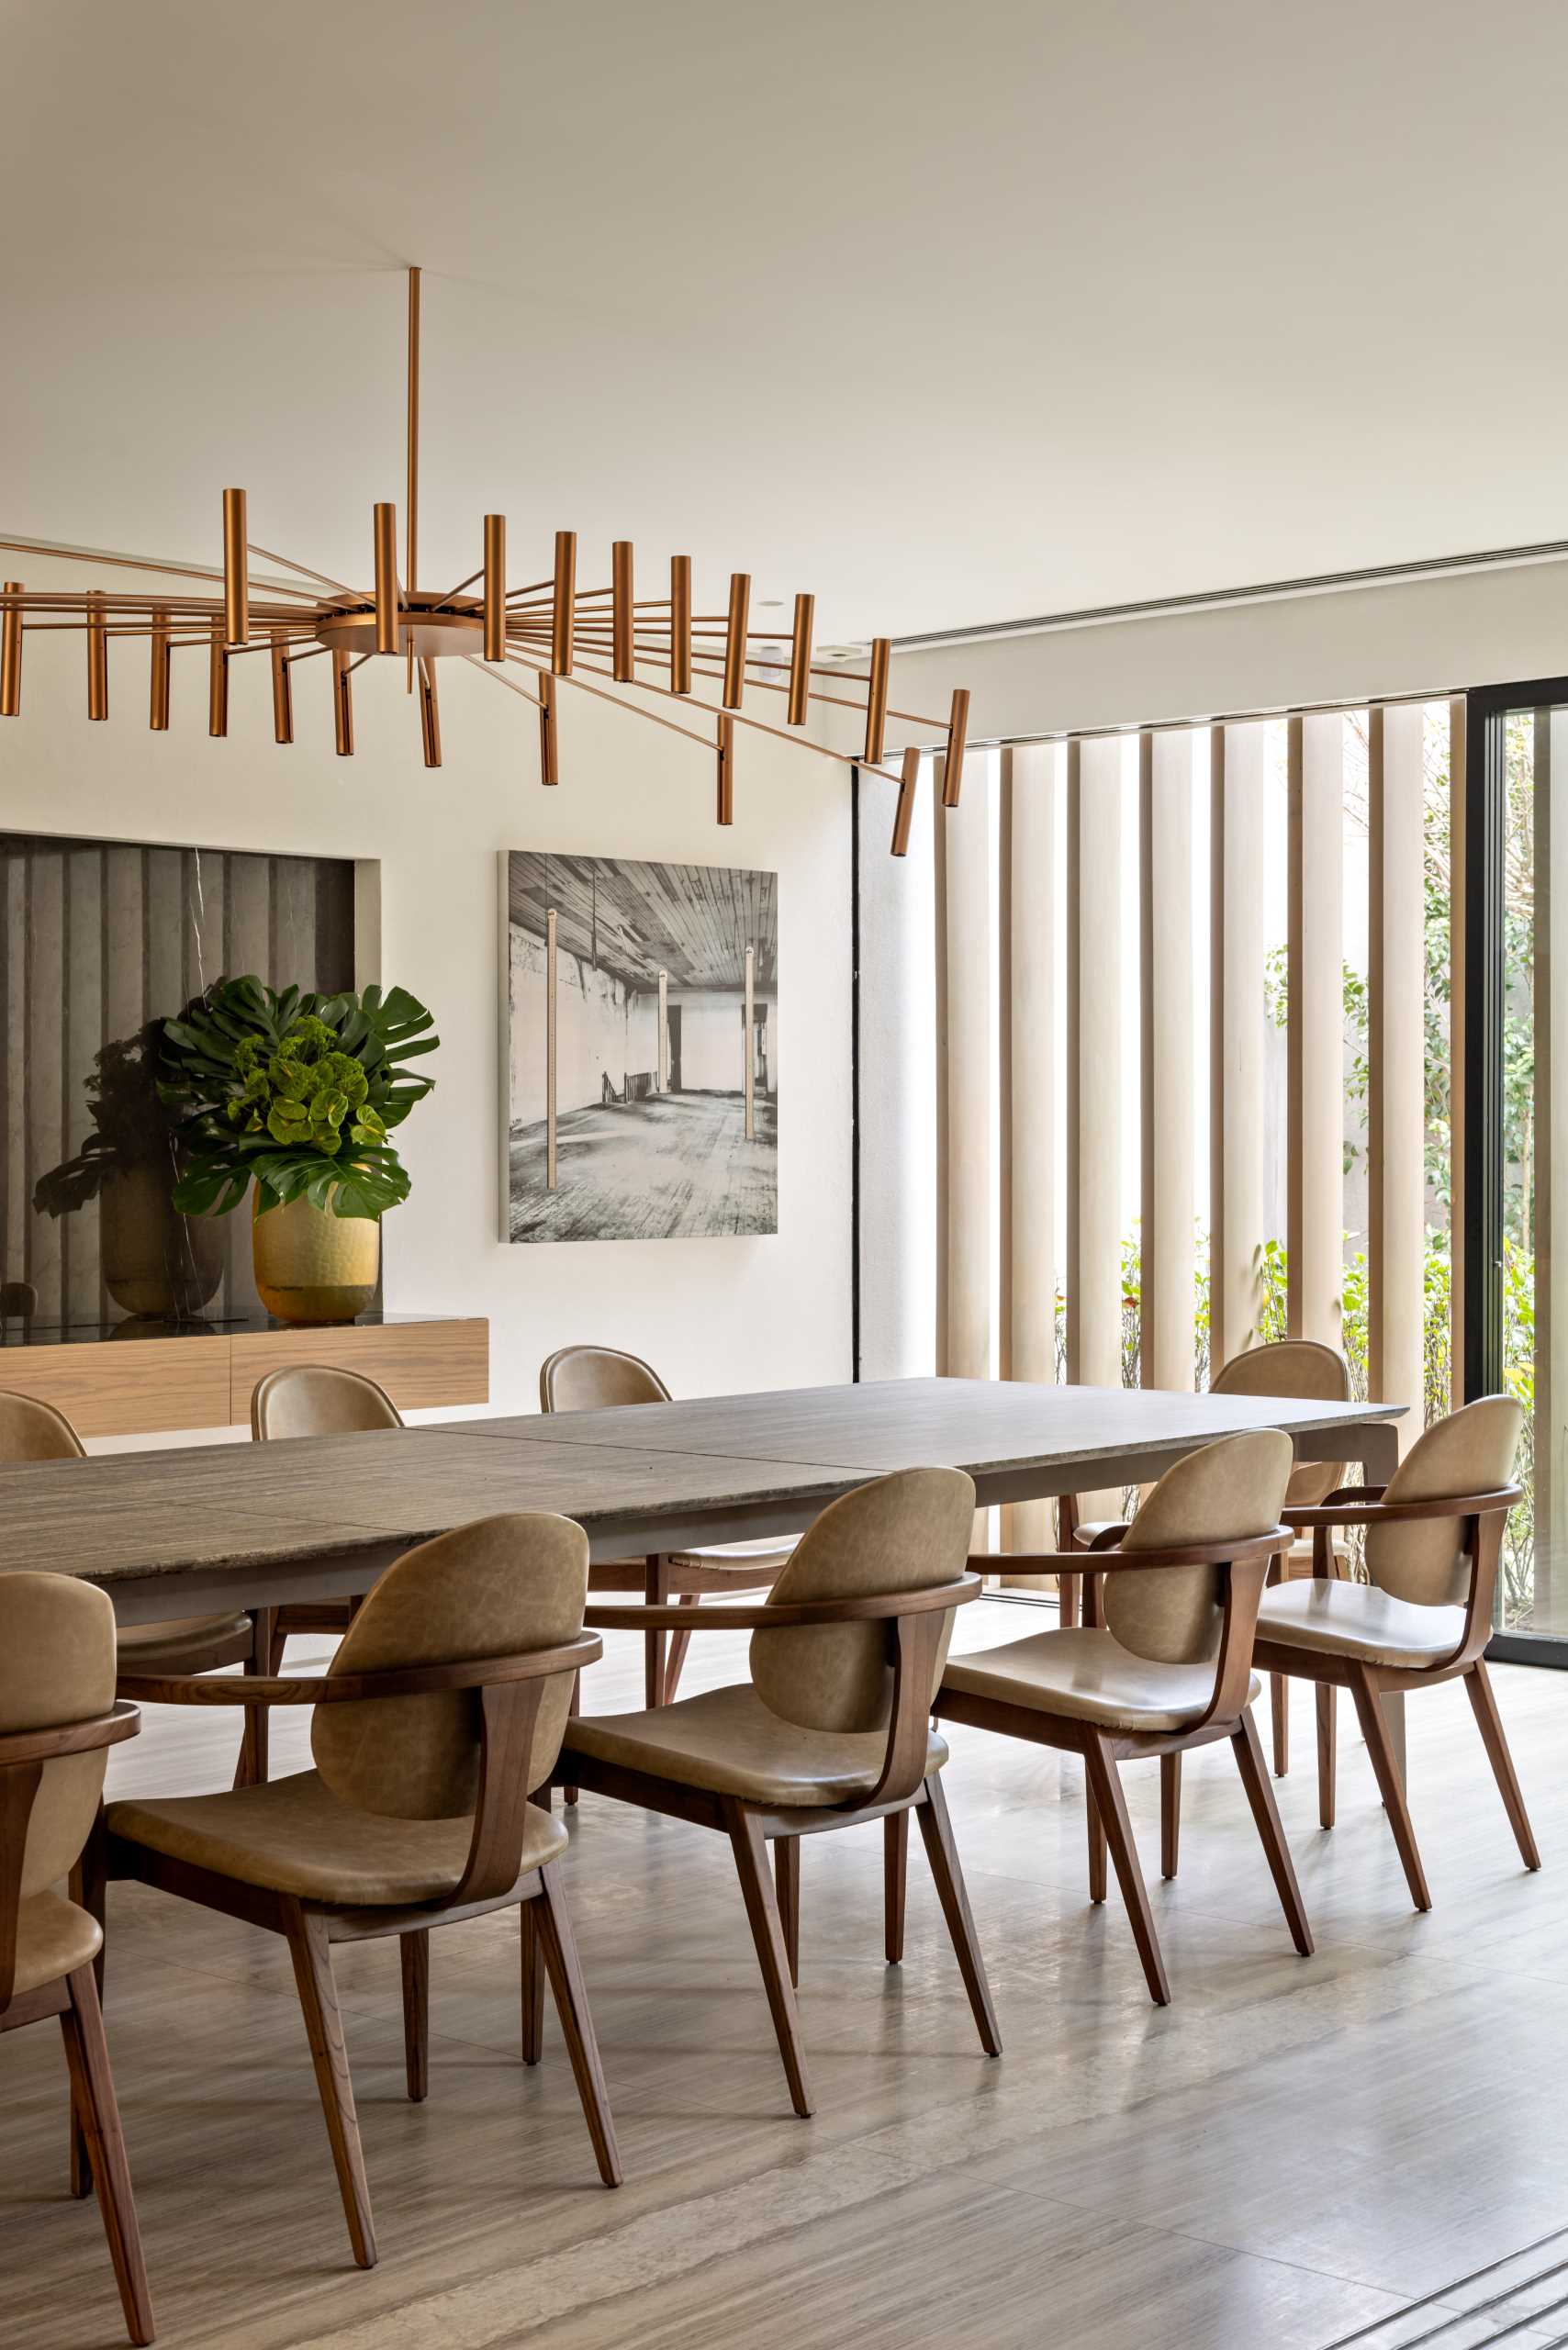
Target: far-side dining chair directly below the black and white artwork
<point>591,1378</point>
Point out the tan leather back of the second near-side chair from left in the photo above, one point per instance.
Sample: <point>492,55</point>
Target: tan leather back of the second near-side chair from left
<point>490,1590</point>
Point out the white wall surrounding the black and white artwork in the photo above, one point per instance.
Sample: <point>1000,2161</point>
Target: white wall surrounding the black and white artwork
<point>713,1315</point>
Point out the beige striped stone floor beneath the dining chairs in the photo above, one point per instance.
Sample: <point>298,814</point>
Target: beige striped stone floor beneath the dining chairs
<point>1289,2156</point>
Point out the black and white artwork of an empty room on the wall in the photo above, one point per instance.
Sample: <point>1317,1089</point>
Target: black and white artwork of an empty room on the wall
<point>641,1049</point>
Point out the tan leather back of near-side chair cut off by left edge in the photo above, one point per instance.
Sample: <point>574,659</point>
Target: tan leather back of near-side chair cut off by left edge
<point>58,1665</point>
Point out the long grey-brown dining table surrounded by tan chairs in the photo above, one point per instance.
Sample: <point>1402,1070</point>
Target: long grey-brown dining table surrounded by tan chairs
<point>194,1529</point>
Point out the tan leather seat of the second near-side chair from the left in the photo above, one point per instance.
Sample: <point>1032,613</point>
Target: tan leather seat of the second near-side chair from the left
<point>300,1839</point>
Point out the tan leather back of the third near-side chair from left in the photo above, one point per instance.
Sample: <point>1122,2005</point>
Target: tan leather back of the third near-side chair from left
<point>904,1533</point>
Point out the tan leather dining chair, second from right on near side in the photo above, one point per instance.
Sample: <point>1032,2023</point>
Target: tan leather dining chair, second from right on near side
<point>1162,1667</point>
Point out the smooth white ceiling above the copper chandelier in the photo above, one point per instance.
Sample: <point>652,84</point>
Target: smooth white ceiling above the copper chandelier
<point>946,311</point>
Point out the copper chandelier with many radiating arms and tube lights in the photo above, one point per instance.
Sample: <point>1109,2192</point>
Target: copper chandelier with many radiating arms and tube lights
<point>554,631</point>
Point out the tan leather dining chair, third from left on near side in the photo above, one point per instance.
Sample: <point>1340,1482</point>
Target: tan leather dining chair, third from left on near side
<point>831,1731</point>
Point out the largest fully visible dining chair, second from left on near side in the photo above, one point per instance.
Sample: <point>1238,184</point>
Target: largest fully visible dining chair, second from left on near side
<point>436,1719</point>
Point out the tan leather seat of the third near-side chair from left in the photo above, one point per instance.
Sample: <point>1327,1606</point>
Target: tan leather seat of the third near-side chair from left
<point>732,1745</point>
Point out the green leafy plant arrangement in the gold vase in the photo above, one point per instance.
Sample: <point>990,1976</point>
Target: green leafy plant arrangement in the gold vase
<point>295,1094</point>
